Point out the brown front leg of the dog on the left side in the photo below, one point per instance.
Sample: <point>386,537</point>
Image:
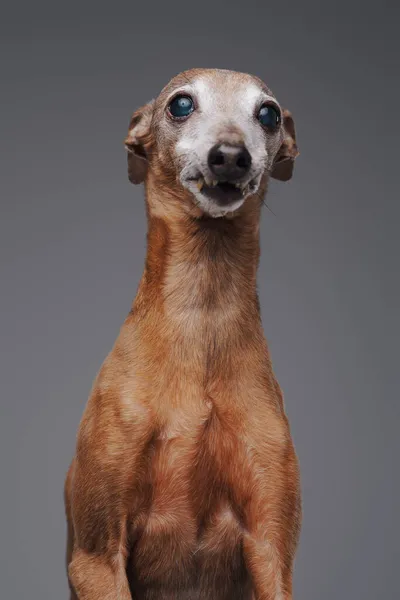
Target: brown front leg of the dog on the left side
<point>106,468</point>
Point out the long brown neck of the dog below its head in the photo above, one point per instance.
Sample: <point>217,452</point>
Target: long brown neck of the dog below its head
<point>198,293</point>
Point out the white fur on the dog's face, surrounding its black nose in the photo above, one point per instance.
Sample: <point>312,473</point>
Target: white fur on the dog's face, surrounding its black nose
<point>220,108</point>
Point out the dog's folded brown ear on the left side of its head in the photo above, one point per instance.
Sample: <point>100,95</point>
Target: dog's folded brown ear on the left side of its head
<point>137,141</point>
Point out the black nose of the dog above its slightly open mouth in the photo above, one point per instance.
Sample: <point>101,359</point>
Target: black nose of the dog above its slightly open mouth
<point>228,162</point>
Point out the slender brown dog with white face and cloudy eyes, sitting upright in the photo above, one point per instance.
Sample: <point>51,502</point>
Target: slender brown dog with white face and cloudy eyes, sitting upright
<point>185,483</point>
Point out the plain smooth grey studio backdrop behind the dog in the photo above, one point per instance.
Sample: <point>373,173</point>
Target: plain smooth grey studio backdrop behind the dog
<point>73,245</point>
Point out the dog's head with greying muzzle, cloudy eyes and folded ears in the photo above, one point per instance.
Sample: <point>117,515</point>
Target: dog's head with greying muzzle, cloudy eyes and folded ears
<point>213,137</point>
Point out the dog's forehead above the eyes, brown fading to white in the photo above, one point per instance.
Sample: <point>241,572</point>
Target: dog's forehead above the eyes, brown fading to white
<point>218,89</point>
